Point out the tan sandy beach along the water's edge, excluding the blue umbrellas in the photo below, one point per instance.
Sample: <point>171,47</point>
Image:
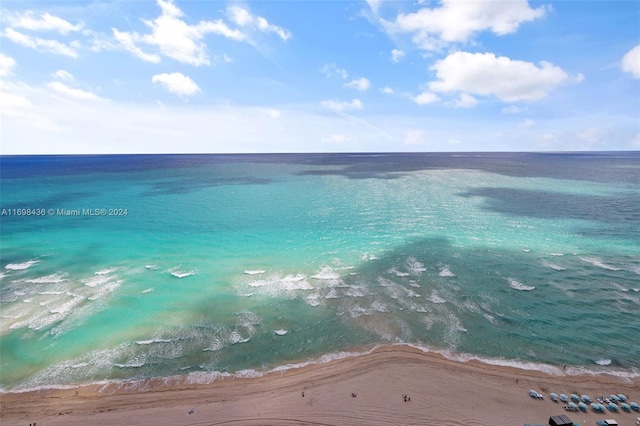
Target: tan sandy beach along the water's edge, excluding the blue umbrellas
<point>442,392</point>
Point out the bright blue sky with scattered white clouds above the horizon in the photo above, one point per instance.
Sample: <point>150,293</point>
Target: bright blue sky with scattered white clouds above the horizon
<point>171,76</point>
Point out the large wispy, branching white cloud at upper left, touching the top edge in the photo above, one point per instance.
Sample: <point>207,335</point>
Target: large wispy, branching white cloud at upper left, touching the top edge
<point>174,38</point>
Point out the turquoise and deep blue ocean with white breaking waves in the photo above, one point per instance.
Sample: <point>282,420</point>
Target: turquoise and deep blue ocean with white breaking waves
<point>118,269</point>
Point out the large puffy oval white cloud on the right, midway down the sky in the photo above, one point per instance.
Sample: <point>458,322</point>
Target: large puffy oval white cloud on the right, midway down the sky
<point>485,74</point>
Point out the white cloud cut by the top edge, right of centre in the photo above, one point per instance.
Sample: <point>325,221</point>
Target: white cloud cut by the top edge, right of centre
<point>458,21</point>
